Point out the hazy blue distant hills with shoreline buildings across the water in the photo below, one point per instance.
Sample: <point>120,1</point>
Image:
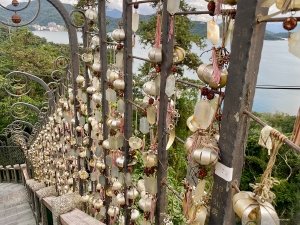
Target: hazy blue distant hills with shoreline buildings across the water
<point>50,20</point>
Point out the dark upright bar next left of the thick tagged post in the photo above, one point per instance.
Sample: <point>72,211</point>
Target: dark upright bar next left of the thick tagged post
<point>167,53</point>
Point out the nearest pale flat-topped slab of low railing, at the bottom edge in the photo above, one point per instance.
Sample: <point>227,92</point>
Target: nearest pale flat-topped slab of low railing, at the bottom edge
<point>77,217</point>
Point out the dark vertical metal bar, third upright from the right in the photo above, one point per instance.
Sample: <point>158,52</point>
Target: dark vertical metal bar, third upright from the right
<point>127,26</point>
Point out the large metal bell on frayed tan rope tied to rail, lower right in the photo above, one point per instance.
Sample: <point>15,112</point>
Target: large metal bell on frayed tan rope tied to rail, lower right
<point>257,205</point>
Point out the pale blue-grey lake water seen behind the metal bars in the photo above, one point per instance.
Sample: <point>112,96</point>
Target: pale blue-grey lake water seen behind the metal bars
<point>277,67</point>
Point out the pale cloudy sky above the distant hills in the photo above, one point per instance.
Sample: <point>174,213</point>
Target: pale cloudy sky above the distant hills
<point>146,9</point>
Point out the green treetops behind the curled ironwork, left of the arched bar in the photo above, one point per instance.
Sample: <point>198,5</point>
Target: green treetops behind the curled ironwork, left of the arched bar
<point>22,51</point>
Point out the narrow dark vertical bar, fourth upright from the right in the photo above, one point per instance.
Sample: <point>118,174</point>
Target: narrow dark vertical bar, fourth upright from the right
<point>103,61</point>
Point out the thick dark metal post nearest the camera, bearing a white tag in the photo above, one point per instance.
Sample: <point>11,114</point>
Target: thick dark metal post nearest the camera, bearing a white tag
<point>244,64</point>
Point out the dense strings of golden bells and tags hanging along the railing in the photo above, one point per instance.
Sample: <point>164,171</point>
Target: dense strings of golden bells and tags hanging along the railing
<point>72,153</point>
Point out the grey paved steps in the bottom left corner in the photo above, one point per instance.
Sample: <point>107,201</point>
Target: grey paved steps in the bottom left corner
<point>14,206</point>
